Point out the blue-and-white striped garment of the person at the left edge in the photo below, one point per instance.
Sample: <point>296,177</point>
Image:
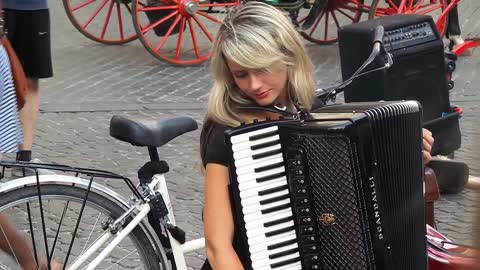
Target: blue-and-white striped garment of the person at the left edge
<point>10,131</point>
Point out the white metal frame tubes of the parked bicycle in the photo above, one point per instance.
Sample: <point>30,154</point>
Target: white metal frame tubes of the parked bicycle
<point>179,250</point>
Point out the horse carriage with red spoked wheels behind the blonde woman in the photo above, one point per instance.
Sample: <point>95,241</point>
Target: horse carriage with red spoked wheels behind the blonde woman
<point>181,31</point>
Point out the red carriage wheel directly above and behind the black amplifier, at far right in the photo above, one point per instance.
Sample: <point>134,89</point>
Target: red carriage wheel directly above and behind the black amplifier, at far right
<point>433,8</point>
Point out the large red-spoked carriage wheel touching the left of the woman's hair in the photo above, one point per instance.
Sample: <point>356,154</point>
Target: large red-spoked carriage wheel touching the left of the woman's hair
<point>179,31</point>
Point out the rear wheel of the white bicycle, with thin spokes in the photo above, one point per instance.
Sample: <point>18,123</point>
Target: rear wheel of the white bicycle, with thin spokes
<point>61,207</point>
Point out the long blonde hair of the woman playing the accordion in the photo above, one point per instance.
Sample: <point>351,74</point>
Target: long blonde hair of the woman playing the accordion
<point>255,36</point>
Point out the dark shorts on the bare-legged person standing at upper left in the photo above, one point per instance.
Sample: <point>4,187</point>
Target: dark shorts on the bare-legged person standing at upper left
<point>29,33</point>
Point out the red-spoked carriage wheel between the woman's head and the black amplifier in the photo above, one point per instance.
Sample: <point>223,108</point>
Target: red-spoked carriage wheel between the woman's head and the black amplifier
<point>331,15</point>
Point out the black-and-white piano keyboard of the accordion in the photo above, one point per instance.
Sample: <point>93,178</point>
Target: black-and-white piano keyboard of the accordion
<point>265,200</point>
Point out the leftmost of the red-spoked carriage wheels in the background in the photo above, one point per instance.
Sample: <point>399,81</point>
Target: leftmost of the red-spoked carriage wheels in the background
<point>104,21</point>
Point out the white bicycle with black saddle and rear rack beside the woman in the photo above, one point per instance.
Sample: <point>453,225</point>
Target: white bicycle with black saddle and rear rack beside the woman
<point>139,233</point>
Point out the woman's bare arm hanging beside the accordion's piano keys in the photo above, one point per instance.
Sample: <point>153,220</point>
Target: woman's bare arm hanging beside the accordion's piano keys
<point>218,220</point>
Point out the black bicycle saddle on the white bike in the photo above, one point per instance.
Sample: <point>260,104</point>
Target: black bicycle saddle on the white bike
<point>148,132</point>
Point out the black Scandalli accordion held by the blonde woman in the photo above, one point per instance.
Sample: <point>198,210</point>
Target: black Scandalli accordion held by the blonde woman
<point>340,190</point>
